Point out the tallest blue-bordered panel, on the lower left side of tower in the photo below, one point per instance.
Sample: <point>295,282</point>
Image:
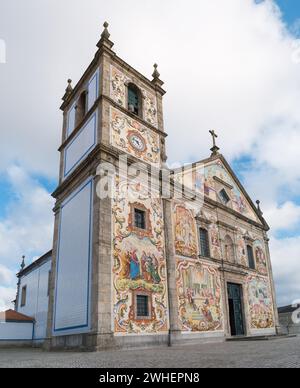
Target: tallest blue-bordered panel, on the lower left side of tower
<point>73,274</point>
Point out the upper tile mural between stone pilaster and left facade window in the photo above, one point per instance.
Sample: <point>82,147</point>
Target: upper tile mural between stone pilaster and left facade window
<point>185,232</point>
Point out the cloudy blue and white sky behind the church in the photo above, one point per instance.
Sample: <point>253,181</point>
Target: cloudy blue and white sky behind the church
<point>232,65</point>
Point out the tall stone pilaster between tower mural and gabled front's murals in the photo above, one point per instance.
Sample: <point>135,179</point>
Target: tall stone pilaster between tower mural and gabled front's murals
<point>174,331</point>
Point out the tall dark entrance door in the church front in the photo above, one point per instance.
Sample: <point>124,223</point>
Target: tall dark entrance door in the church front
<point>235,296</point>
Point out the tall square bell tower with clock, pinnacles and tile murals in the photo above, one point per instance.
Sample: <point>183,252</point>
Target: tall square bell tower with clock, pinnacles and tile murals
<point>108,280</point>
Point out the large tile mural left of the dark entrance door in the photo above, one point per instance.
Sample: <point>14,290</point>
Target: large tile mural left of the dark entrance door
<point>199,297</point>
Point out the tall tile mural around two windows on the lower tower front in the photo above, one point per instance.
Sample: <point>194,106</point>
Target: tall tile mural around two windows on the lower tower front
<point>139,262</point>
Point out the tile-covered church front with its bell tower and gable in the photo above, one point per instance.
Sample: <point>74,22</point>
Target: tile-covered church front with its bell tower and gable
<point>165,256</point>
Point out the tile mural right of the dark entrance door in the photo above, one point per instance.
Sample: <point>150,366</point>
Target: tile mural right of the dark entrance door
<point>260,303</point>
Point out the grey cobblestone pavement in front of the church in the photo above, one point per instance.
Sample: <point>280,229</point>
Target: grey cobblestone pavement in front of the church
<point>279,353</point>
